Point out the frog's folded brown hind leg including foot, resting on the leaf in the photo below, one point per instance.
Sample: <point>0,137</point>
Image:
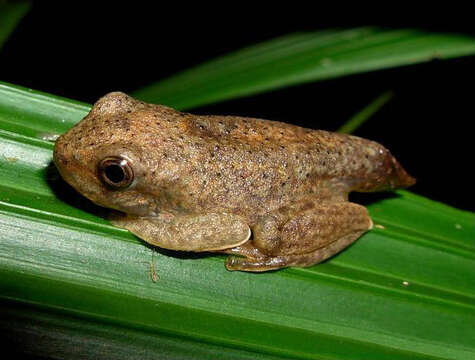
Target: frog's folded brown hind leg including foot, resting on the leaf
<point>308,236</point>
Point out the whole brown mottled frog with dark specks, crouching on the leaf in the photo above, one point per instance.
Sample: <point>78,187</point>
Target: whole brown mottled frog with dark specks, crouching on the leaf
<point>202,183</point>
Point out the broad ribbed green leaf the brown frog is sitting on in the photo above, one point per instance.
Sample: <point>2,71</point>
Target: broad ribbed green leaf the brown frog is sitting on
<point>73,286</point>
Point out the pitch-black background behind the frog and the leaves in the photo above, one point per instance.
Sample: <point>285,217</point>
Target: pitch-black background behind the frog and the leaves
<point>82,52</point>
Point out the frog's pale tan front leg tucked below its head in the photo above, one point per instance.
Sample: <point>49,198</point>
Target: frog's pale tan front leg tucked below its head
<point>188,232</point>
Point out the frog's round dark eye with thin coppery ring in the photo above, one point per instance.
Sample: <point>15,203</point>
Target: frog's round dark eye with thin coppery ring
<point>116,172</point>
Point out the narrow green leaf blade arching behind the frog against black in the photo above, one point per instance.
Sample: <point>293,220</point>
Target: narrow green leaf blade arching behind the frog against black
<point>302,58</point>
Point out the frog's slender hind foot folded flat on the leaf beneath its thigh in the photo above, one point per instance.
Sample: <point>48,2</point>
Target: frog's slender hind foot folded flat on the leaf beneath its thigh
<point>277,262</point>
